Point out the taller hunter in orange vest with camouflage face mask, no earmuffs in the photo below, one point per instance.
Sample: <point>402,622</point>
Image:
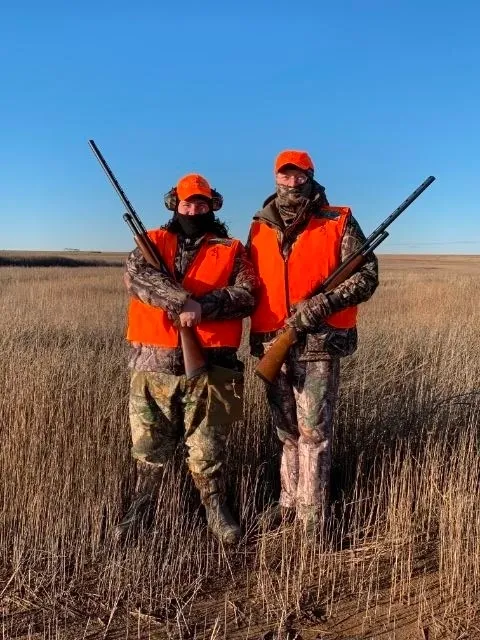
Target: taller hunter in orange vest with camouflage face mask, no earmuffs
<point>296,241</point>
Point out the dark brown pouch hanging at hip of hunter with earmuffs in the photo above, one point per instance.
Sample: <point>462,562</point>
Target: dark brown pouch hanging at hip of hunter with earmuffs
<point>225,395</point>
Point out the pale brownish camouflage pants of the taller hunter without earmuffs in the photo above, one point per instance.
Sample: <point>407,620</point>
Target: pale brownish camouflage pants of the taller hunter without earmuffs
<point>302,401</point>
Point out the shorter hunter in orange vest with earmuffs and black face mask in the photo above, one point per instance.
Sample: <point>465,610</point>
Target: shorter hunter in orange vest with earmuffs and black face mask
<point>208,285</point>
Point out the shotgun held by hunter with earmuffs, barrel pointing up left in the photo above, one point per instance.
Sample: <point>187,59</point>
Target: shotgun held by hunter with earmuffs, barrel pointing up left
<point>193,356</point>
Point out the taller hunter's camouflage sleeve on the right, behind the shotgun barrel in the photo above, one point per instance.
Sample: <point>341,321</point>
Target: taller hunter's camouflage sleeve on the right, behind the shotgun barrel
<point>354,290</point>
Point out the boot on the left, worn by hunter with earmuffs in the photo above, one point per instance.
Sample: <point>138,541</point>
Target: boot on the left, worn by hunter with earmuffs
<point>141,511</point>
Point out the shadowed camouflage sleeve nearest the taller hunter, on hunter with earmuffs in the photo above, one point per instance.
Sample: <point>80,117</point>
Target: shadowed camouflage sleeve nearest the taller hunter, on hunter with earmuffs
<point>236,300</point>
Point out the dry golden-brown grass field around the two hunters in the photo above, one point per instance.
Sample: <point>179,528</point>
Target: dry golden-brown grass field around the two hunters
<point>401,557</point>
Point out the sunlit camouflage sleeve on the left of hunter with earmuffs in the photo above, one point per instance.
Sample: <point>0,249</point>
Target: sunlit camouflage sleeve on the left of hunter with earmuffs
<point>152,286</point>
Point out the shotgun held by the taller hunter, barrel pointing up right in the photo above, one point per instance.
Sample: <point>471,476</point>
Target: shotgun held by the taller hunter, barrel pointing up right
<point>270,364</point>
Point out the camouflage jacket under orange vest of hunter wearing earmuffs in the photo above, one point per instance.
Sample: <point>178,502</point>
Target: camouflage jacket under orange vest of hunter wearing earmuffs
<point>161,290</point>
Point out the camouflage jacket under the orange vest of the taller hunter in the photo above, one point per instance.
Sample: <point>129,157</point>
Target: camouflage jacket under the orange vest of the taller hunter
<point>317,340</point>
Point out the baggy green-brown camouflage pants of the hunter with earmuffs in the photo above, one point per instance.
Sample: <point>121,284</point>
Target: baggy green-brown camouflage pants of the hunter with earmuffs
<point>163,409</point>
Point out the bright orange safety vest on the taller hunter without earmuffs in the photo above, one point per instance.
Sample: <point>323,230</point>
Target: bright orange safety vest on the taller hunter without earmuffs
<point>315,254</point>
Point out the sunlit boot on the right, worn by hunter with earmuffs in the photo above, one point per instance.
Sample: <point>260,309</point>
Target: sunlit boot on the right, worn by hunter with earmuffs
<point>220,521</point>
